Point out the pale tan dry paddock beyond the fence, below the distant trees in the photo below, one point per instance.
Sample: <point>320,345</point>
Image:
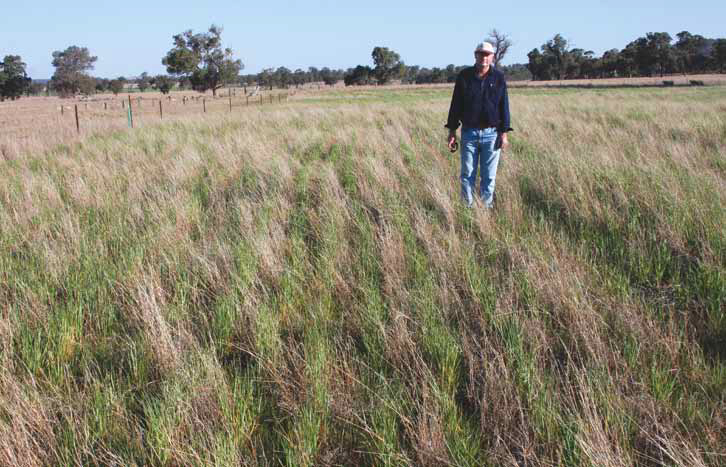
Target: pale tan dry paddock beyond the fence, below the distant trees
<point>38,123</point>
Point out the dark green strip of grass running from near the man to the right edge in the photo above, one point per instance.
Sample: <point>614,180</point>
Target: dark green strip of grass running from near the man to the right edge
<point>662,276</point>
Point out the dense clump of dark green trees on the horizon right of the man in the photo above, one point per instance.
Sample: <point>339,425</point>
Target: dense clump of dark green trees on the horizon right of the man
<point>655,54</point>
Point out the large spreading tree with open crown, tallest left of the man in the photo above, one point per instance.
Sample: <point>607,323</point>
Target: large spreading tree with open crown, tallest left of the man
<point>201,59</point>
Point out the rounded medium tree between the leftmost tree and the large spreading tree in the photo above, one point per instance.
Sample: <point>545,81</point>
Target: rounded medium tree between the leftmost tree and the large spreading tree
<point>71,65</point>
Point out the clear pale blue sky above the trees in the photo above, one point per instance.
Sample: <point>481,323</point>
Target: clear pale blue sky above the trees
<point>131,36</point>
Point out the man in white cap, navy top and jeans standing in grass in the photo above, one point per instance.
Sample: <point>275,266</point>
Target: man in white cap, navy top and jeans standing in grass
<point>480,102</point>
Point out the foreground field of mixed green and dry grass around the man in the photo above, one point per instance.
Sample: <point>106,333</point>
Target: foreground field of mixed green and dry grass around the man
<point>299,284</point>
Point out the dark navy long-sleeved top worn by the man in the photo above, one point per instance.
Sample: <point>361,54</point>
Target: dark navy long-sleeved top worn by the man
<point>494,108</point>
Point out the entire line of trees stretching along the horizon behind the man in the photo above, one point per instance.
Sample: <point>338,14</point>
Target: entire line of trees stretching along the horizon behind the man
<point>199,62</point>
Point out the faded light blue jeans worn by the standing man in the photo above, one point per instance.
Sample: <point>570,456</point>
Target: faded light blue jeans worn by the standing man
<point>477,150</point>
